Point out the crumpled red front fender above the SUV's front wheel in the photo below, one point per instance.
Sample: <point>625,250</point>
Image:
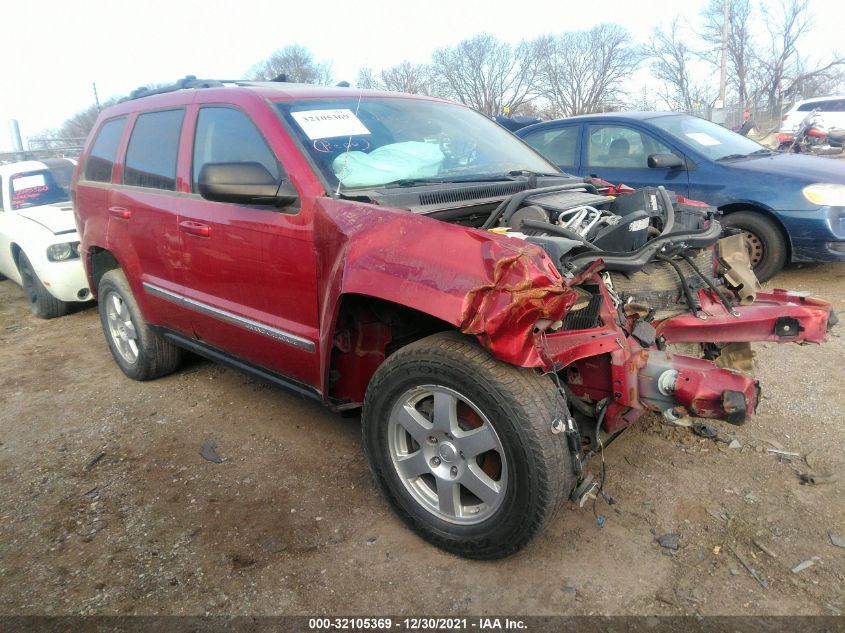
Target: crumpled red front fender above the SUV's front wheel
<point>487,285</point>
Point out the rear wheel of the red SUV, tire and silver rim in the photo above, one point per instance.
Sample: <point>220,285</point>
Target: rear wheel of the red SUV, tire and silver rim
<point>139,351</point>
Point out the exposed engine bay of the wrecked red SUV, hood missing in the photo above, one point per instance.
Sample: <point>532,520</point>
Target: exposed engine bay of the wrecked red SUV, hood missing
<point>656,249</point>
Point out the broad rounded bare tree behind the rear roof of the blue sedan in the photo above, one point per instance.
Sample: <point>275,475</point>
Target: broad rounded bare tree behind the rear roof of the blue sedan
<point>582,71</point>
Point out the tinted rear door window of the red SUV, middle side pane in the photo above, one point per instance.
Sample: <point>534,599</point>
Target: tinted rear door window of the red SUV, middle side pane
<point>153,150</point>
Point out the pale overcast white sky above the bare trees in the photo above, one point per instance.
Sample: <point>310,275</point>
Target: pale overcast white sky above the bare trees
<point>53,51</point>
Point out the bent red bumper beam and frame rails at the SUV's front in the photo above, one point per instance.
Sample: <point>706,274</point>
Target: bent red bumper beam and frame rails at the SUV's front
<point>607,362</point>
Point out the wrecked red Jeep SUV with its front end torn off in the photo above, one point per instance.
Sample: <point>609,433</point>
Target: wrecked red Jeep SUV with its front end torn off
<point>498,321</point>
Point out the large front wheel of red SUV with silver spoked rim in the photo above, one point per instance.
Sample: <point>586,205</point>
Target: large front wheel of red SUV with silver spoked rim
<point>461,445</point>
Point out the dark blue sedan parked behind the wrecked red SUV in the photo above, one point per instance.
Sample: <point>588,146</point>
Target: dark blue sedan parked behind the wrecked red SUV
<point>790,207</point>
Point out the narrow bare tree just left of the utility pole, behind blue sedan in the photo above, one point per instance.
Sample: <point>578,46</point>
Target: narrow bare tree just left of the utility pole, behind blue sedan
<point>672,61</point>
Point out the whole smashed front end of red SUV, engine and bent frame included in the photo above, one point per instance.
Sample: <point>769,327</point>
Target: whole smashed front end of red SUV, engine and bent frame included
<point>661,309</point>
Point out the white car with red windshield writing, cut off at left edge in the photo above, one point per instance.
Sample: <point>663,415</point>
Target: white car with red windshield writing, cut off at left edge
<point>39,245</point>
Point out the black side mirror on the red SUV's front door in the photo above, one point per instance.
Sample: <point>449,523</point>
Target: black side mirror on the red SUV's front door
<point>244,183</point>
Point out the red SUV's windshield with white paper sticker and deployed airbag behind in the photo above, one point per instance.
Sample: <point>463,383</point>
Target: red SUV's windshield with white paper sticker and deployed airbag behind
<point>404,141</point>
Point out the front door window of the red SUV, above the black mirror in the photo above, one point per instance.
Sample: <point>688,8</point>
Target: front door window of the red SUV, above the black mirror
<point>226,135</point>
